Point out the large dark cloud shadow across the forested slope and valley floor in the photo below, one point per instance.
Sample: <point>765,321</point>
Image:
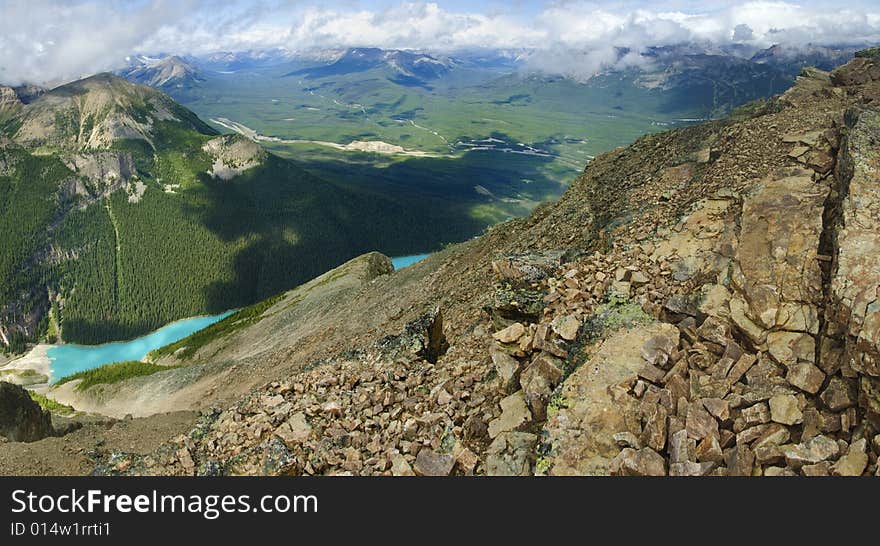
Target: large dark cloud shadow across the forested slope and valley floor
<point>290,224</point>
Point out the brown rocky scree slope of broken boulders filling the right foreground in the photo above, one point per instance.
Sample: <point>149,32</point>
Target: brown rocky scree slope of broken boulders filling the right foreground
<point>699,303</point>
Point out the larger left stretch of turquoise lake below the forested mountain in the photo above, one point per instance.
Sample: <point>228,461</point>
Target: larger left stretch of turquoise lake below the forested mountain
<point>69,359</point>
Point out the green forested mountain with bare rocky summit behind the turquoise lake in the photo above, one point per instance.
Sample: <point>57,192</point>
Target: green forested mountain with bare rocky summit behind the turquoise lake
<point>121,211</point>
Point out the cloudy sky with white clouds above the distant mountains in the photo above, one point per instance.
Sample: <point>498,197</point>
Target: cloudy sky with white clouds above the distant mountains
<point>43,41</point>
